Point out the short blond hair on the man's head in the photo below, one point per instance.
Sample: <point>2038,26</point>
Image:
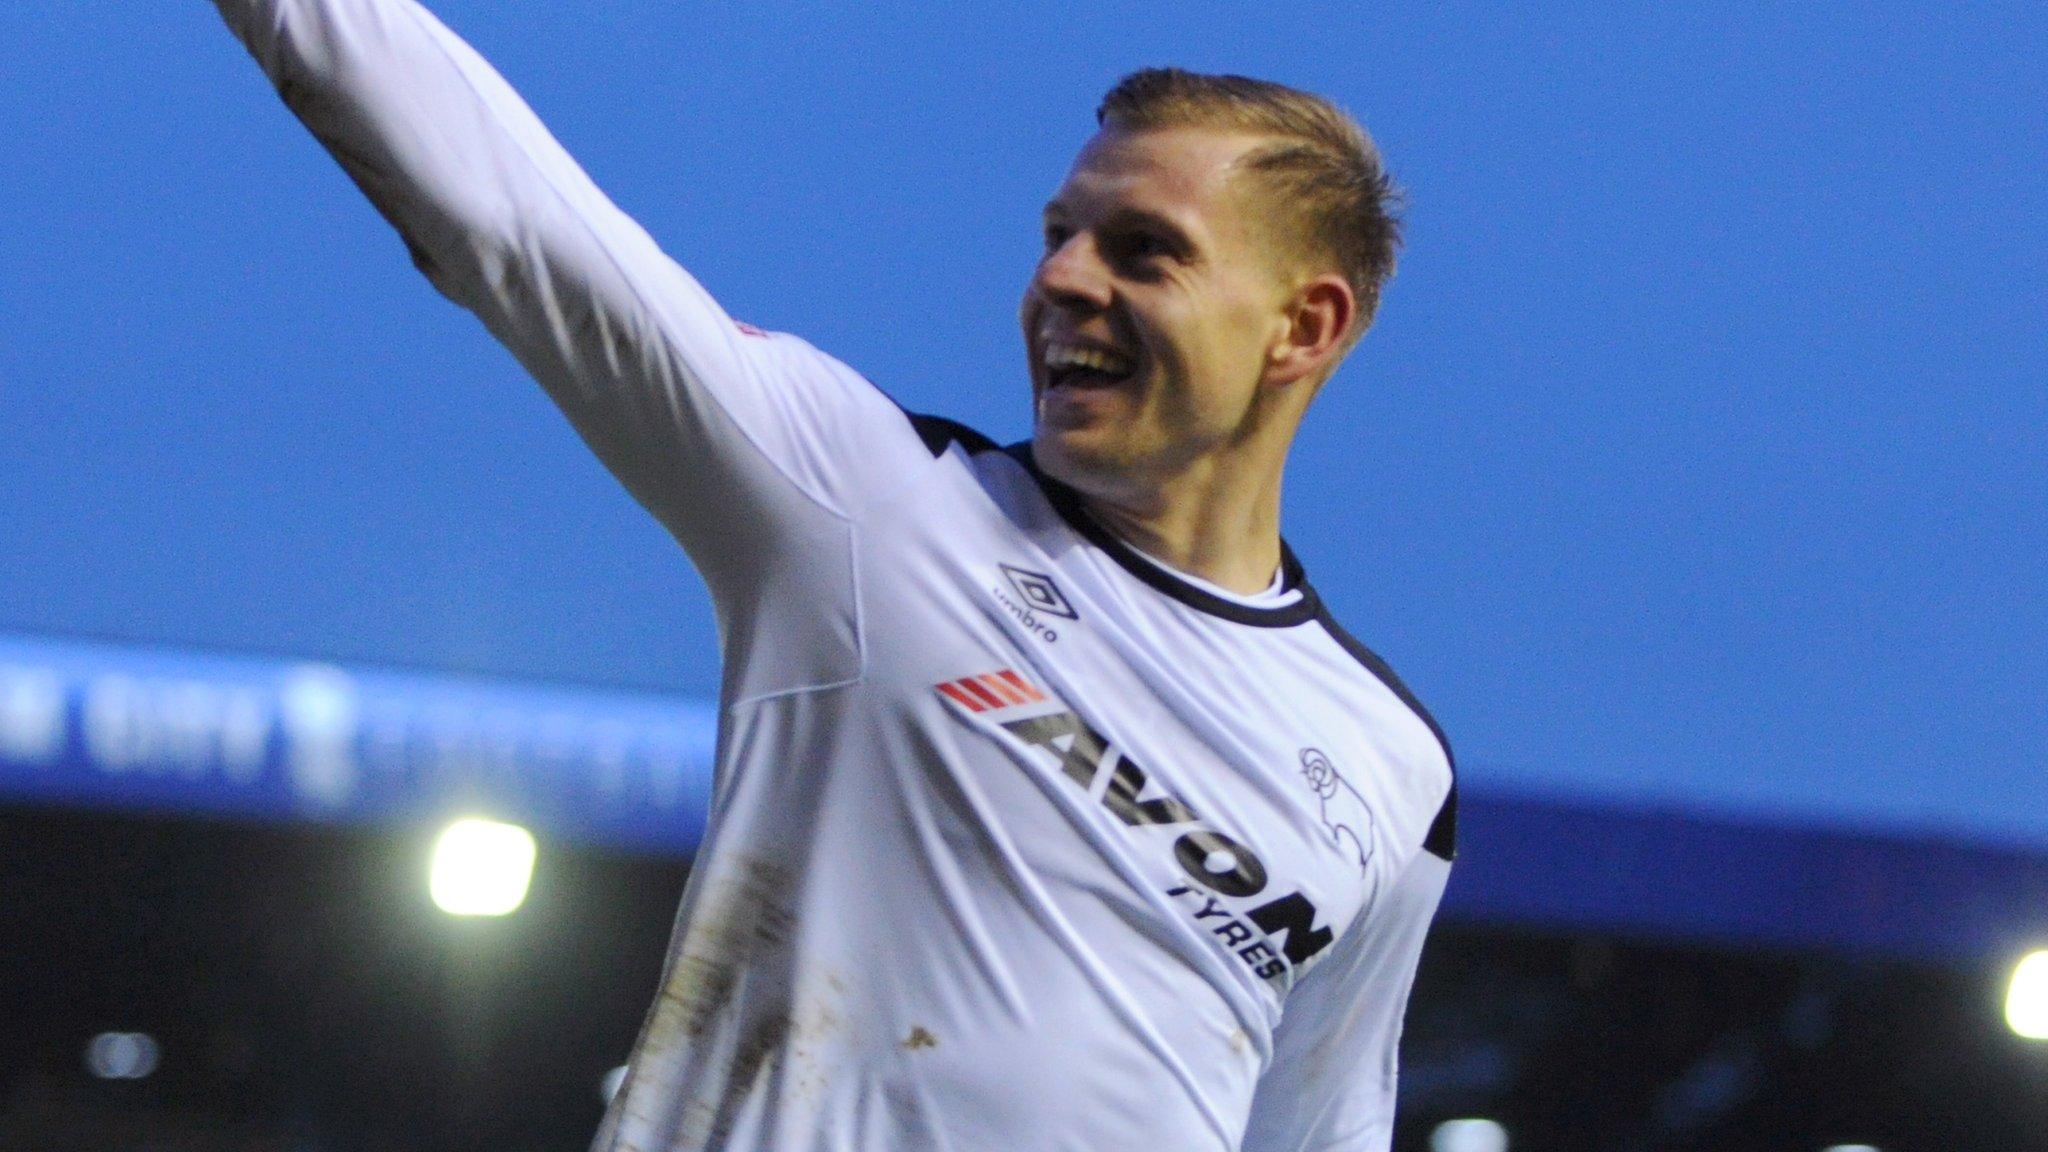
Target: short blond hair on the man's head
<point>1322,171</point>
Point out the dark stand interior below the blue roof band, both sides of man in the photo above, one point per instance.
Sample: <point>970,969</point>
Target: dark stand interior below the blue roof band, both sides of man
<point>306,995</point>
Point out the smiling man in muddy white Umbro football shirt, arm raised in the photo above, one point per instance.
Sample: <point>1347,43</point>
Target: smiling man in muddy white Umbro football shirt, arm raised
<point>1052,809</point>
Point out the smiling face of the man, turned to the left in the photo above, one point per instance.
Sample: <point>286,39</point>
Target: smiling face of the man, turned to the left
<point>1152,313</point>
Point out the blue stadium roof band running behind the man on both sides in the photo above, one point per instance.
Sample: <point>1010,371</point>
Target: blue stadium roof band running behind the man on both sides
<point>267,739</point>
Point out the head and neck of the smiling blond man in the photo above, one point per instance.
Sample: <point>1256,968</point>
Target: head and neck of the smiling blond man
<point>1213,255</point>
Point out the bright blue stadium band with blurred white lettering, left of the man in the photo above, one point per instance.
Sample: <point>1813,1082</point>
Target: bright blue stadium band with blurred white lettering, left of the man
<point>134,729</point>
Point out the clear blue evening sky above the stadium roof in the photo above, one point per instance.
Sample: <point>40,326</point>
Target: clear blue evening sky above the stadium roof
<point>1701,454</point>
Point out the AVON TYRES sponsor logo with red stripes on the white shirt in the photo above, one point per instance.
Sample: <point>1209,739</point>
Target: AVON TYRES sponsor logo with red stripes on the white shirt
<point>1275,936</point>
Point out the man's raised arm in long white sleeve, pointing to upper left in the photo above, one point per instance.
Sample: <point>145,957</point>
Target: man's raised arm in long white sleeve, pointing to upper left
<point>718,429</point>
